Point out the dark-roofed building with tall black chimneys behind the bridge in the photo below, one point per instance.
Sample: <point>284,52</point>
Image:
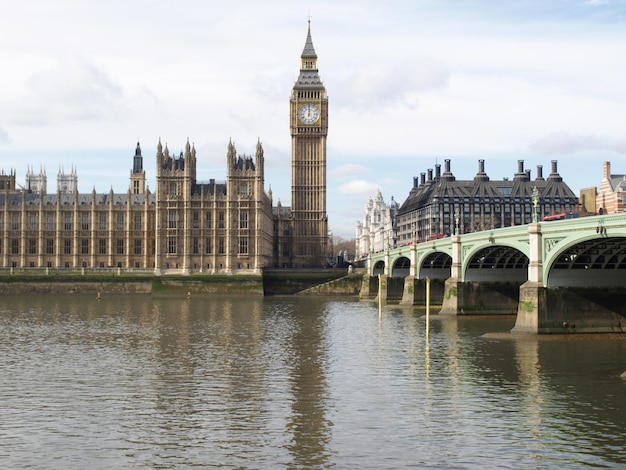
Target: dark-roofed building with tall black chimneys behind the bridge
<point>439,205</point>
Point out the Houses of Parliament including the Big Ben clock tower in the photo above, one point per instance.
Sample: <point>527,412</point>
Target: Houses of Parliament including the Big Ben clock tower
<point>185,226</point>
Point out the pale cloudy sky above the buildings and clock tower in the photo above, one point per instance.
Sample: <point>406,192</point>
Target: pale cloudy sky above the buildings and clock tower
<point>410,83</point>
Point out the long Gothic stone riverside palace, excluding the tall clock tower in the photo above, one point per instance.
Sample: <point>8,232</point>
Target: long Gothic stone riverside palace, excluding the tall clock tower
<point>184,227</point>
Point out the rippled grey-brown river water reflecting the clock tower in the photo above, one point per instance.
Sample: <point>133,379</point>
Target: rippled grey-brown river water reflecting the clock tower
<point>294,382</point>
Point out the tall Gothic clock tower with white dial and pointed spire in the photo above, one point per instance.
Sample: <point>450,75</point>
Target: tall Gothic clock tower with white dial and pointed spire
<point>309,127</point>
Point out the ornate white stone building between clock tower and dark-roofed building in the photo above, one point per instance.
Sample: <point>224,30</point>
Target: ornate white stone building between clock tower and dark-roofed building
<point>379,229</point>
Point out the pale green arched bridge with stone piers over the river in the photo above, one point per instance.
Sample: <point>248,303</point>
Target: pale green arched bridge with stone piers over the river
<point>558,277</point>
